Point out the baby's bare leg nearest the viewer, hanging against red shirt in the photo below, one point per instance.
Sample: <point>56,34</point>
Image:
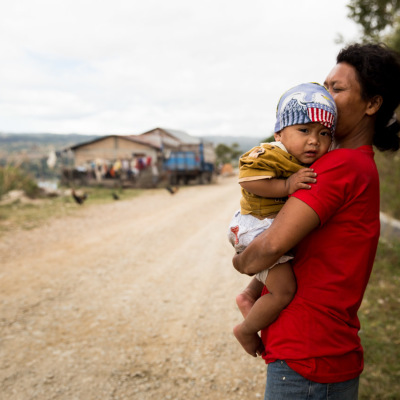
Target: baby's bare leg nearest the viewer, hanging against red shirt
<point>281,285</point>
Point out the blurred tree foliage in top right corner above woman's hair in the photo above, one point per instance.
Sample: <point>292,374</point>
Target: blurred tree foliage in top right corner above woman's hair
<point>379,19</point>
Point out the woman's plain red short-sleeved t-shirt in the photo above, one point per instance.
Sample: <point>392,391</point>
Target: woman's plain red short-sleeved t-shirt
<point>317,333</point>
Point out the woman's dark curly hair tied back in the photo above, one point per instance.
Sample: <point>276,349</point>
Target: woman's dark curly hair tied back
<point>378,71</point>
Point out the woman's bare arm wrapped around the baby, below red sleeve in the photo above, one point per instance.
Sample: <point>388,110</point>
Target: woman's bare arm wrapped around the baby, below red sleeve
<point>294,222</point>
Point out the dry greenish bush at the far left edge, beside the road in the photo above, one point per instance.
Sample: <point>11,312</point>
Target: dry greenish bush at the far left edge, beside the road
<point>13,178</point>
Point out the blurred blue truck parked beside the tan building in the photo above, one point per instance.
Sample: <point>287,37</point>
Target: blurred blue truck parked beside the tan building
<point>197,163</point>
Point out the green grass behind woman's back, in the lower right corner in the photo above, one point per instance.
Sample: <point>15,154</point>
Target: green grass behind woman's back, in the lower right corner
<point>380,326</point>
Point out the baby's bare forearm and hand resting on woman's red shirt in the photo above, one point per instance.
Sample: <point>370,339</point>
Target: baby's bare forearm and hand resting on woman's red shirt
<point>276,188</point>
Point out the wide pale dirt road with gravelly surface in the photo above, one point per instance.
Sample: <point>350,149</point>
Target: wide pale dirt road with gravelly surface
<point>129,300</point>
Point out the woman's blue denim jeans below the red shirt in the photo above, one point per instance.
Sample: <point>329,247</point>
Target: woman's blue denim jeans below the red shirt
<point>285,384</point>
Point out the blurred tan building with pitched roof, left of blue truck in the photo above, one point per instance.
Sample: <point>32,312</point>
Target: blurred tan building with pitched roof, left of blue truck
<point>136,160</point>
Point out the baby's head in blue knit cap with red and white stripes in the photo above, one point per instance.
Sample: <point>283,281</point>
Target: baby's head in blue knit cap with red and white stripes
<point>305,121</point>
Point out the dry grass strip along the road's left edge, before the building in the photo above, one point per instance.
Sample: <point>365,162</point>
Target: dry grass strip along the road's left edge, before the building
<point>29,215</point>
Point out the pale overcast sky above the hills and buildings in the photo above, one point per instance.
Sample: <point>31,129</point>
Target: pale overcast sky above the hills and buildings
<point>209,67</point>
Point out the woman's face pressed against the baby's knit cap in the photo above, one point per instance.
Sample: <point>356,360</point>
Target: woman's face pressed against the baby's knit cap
<point>343,85</point>
